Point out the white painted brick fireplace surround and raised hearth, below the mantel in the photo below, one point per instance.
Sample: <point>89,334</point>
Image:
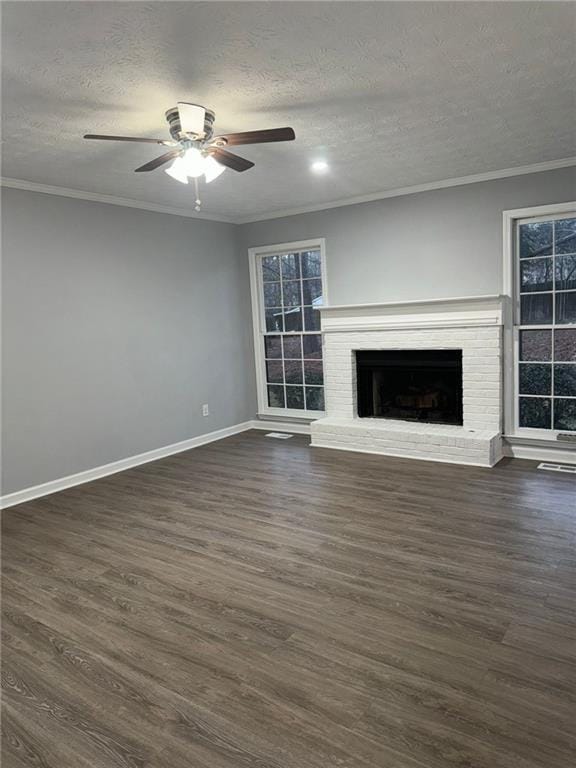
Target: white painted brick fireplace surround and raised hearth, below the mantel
<point>477,442</point>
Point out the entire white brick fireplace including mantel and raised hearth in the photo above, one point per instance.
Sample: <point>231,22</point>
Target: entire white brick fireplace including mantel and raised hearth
<point>469,327</point>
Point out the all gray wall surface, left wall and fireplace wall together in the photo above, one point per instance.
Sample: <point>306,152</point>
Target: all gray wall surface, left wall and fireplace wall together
<point>119,323</point>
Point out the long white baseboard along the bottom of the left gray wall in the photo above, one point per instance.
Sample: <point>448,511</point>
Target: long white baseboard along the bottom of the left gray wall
<point>27,494</point>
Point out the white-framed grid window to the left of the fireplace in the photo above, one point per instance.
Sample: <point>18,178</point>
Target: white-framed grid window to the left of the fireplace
<point>288,287</point>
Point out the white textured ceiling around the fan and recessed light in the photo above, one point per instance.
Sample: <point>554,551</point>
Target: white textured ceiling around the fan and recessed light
<point>391,94</point>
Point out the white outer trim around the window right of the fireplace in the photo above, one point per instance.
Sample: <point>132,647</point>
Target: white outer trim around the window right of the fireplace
<point>510,276</point>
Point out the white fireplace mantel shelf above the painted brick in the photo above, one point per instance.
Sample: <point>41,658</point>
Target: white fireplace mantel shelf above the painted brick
<point>463,311</point>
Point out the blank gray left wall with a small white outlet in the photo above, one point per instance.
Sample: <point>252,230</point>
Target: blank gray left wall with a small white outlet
<point>118,325</point>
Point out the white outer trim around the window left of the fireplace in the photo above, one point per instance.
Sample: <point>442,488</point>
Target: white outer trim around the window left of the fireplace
<point>258,322</point>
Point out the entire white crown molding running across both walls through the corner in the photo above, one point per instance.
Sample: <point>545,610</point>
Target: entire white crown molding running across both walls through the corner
<point>95,197</point>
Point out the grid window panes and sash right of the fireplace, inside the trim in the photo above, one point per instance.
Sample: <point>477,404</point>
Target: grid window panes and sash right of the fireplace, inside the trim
<point>545,324</point>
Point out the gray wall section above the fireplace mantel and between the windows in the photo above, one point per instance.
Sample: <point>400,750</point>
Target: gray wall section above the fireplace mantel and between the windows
<point>436,244</point>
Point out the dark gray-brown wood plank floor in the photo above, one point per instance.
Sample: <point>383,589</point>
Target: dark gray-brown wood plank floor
<point>257,603</point>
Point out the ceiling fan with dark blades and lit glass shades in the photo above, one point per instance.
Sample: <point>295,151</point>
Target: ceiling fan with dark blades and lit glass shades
<point>194,149</point>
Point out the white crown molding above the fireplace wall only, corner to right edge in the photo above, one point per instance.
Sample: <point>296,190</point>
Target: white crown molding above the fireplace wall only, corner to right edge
<point>504,173</point>
